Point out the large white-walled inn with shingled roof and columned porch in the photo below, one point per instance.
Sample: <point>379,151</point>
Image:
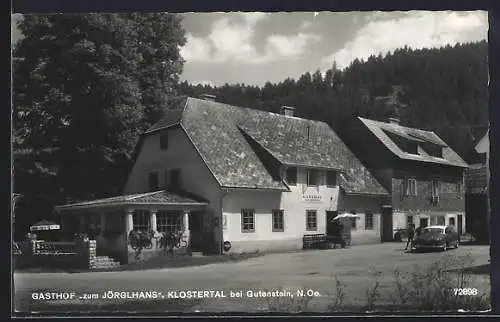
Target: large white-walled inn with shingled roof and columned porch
<point>247,179</point>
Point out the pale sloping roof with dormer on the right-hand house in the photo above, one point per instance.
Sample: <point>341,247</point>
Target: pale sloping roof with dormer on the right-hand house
<point>382,129</point>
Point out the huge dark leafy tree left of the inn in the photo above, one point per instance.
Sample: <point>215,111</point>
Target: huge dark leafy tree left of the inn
<point>83,90</point>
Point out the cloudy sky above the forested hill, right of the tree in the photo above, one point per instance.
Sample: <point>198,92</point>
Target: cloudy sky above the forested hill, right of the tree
<point>255,47</point>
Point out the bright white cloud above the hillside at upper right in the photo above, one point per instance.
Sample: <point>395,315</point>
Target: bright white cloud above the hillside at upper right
<point>415,30</point>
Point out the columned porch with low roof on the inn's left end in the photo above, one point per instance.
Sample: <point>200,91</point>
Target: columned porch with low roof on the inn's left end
<point>135,227</point>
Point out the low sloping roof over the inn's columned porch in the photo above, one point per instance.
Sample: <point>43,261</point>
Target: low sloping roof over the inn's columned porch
<point>156,198</point>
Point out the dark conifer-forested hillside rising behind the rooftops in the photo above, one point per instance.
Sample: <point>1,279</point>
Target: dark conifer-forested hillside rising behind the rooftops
<point>443,89</point>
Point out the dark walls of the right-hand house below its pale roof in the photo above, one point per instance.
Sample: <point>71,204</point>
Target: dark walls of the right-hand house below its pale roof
<point>393,173</point>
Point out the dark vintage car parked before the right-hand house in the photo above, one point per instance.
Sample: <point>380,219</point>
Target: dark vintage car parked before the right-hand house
<point>436,237</point>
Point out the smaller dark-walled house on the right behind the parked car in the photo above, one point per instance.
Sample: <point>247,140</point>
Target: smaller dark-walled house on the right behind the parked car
<point>424,176</point>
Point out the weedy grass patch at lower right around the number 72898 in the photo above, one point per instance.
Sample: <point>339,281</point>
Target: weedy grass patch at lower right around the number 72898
<point>424,289</point>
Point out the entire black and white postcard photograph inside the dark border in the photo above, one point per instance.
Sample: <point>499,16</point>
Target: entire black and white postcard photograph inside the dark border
<point>250,162</point>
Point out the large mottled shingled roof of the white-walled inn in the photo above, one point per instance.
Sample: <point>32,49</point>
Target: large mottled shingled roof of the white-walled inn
<point>218,132</point>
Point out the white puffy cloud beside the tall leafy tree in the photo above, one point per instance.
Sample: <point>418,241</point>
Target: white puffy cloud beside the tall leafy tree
<point>233,42</point>
